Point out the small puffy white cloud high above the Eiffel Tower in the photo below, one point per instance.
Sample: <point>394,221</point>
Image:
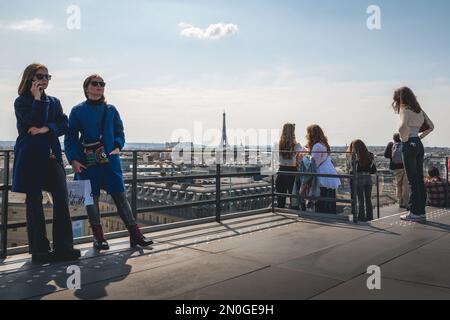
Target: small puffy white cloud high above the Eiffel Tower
<point>212,32</point>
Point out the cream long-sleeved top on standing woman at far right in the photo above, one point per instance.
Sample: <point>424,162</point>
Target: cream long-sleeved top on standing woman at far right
<point>410,123</point>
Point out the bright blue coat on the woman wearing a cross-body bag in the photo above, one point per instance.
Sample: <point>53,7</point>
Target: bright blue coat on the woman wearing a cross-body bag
<point>84,125</point>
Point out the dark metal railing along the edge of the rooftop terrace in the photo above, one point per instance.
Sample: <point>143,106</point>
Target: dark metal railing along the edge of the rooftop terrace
<point>5,188</point>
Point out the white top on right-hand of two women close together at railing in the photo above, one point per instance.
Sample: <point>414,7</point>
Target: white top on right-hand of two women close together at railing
<point>325,166</point>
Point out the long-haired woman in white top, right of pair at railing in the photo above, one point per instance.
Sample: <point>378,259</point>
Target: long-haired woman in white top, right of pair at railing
<point>317,144</point>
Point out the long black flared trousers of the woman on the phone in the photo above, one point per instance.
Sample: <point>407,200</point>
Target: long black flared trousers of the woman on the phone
<point>55,183</point>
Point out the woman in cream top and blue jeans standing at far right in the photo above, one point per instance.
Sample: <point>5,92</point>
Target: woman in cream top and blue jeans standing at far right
<point>414,126</point>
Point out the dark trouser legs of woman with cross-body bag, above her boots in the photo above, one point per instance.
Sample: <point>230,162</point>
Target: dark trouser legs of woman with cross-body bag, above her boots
<point>123,208</point>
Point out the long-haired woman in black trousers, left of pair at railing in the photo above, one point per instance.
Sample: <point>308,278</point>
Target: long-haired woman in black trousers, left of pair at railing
<point>289,151</point>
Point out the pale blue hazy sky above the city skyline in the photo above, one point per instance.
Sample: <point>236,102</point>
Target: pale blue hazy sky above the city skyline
<point>173,67</point>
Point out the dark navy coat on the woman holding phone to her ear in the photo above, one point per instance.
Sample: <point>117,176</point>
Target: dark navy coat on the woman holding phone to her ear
<point>31,153</point>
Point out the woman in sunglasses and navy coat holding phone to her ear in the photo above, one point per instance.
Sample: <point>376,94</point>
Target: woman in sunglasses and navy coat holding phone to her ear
<point>38,165</point>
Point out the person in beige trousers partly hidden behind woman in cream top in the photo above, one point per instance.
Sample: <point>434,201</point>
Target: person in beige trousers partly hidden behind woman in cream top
<point>393,152</point>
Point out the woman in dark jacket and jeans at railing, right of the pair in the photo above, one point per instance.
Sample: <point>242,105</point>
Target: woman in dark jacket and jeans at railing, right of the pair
<point>365,166</point>
